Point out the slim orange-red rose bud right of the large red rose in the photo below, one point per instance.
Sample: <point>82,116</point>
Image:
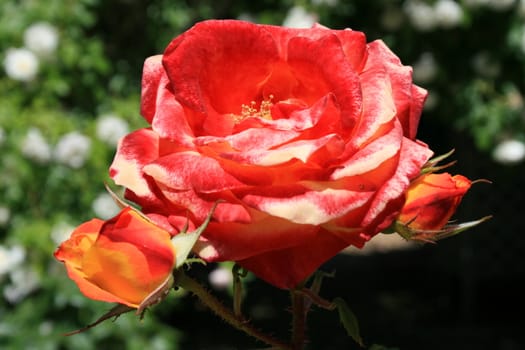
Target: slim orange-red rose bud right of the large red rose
<point>432,199</point>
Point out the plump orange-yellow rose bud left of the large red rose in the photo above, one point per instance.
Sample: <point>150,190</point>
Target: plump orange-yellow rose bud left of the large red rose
<point>125,259</point>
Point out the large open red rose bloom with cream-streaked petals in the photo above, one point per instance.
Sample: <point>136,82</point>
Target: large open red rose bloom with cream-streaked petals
<point>306,135</point>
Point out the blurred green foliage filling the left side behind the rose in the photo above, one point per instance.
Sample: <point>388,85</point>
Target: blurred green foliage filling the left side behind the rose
<point>74,88</point>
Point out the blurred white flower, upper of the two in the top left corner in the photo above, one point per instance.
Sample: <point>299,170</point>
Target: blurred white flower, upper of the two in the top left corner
<point>41,38</point>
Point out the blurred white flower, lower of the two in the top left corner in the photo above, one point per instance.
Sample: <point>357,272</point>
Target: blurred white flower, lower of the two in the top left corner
<point>21,64</point>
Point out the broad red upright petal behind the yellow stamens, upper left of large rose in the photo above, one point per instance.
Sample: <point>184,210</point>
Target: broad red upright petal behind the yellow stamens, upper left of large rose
<point>198,61</point>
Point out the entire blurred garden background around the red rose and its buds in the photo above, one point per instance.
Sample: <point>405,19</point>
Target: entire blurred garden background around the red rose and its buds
<point>70,87</point>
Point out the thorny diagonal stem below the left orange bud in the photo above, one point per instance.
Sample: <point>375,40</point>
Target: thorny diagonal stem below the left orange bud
<point>237,321</point>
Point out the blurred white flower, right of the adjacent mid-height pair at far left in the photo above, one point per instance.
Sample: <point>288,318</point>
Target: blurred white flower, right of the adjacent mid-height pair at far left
<point>72,149</point>
